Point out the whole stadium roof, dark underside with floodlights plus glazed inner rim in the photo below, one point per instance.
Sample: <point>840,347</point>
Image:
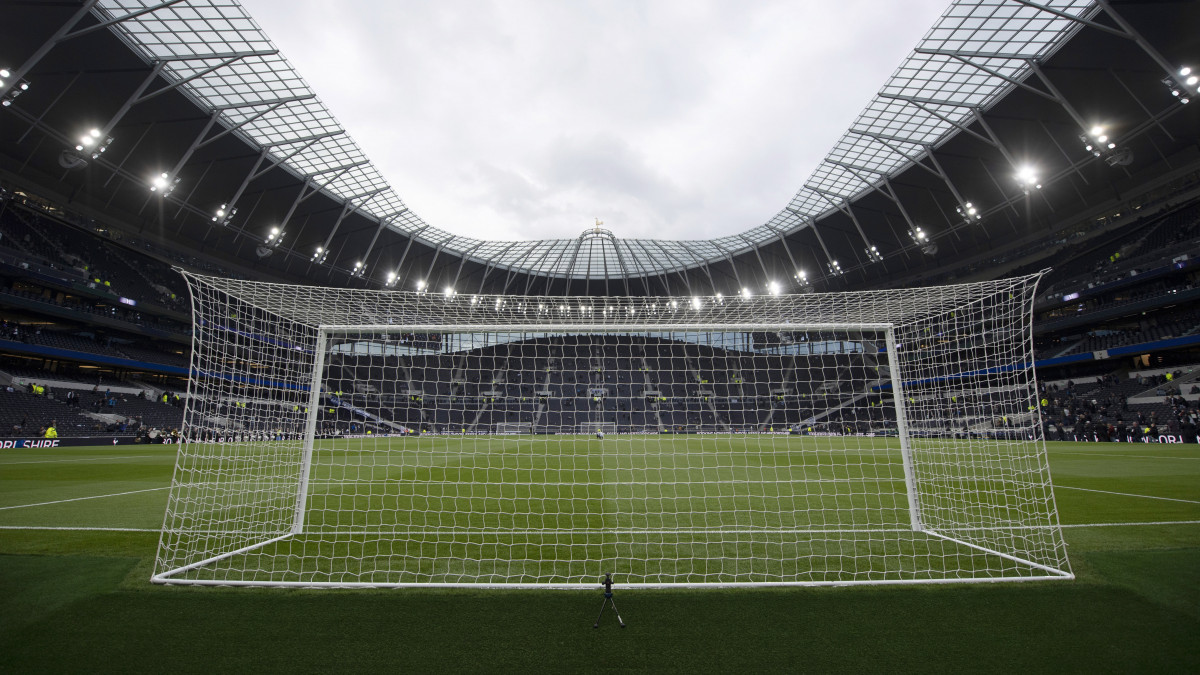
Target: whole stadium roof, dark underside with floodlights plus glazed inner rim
<point>953,124</point>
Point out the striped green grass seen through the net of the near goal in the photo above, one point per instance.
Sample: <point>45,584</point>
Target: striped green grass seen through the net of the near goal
<point>649,509</point>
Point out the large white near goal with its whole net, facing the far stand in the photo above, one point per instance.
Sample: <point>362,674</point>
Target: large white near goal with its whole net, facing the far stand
<point>394,439</point>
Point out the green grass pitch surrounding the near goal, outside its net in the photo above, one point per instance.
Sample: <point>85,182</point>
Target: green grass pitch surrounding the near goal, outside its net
<point>79,534</point>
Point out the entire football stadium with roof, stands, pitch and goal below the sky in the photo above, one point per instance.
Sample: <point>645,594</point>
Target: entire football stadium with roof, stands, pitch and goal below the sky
<point>938,410</point>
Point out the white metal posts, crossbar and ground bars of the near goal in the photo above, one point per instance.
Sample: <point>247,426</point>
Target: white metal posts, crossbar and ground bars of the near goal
<point>889,332</point>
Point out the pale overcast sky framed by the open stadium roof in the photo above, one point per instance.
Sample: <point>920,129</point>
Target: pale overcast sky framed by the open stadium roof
<point>665,120</point>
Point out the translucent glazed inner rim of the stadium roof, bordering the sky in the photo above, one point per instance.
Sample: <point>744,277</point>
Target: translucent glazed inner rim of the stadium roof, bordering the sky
<point>971,57</point>
